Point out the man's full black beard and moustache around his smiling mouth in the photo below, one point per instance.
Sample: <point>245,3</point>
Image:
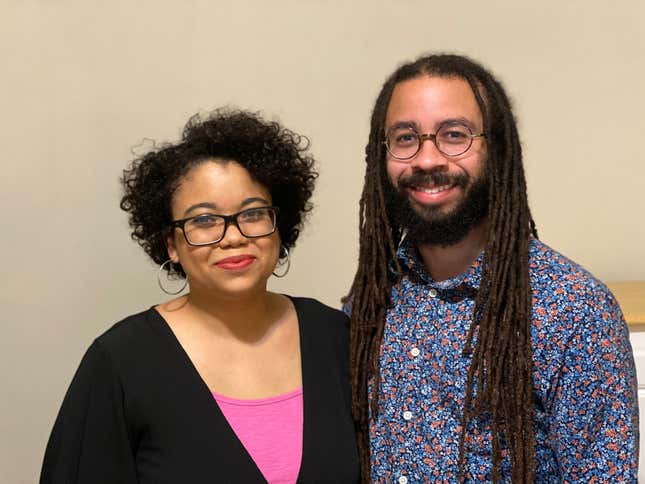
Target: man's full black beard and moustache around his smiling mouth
<point>429,225</point>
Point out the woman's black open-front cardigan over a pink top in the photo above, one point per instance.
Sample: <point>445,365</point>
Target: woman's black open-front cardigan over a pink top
<point>137,411</point>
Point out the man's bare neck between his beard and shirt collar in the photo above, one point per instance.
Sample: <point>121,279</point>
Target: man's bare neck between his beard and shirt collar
<point>445,262</point>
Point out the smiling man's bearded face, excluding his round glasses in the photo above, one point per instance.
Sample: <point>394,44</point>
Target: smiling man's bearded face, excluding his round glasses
<point>439,198</point>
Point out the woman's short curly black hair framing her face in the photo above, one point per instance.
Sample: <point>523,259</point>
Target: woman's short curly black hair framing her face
<point>274,156</point>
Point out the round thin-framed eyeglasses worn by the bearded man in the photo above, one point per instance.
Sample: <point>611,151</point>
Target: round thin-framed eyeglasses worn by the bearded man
<point>451,139</point>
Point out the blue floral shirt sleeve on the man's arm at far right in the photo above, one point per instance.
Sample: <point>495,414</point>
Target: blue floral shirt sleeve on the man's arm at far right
<point>594,424</point>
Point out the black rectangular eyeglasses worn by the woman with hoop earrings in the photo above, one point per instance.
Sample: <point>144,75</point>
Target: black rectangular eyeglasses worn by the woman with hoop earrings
<point>209,228</point>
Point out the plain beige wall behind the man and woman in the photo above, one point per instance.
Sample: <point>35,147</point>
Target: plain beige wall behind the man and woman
<point>83,82</point>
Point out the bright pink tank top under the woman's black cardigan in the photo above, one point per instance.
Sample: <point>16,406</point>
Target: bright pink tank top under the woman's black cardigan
<point>271,431</point>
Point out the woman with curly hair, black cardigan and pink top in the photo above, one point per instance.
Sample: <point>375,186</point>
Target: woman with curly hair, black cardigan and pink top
<point>231,382</point>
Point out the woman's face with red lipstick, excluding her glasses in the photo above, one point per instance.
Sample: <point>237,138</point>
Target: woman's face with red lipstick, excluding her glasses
<point>235,266</point>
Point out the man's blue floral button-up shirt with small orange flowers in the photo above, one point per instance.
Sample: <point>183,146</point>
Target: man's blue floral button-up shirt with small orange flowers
<point>586,413</point>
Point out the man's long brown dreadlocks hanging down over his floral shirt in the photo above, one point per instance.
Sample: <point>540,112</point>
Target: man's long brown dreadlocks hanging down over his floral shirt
<point>500,336</point>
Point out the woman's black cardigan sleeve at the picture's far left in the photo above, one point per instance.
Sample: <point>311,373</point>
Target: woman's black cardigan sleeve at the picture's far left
<point>90,442</point>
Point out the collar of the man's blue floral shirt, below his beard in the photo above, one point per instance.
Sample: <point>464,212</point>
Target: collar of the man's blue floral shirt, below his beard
<point>412,264</point>
